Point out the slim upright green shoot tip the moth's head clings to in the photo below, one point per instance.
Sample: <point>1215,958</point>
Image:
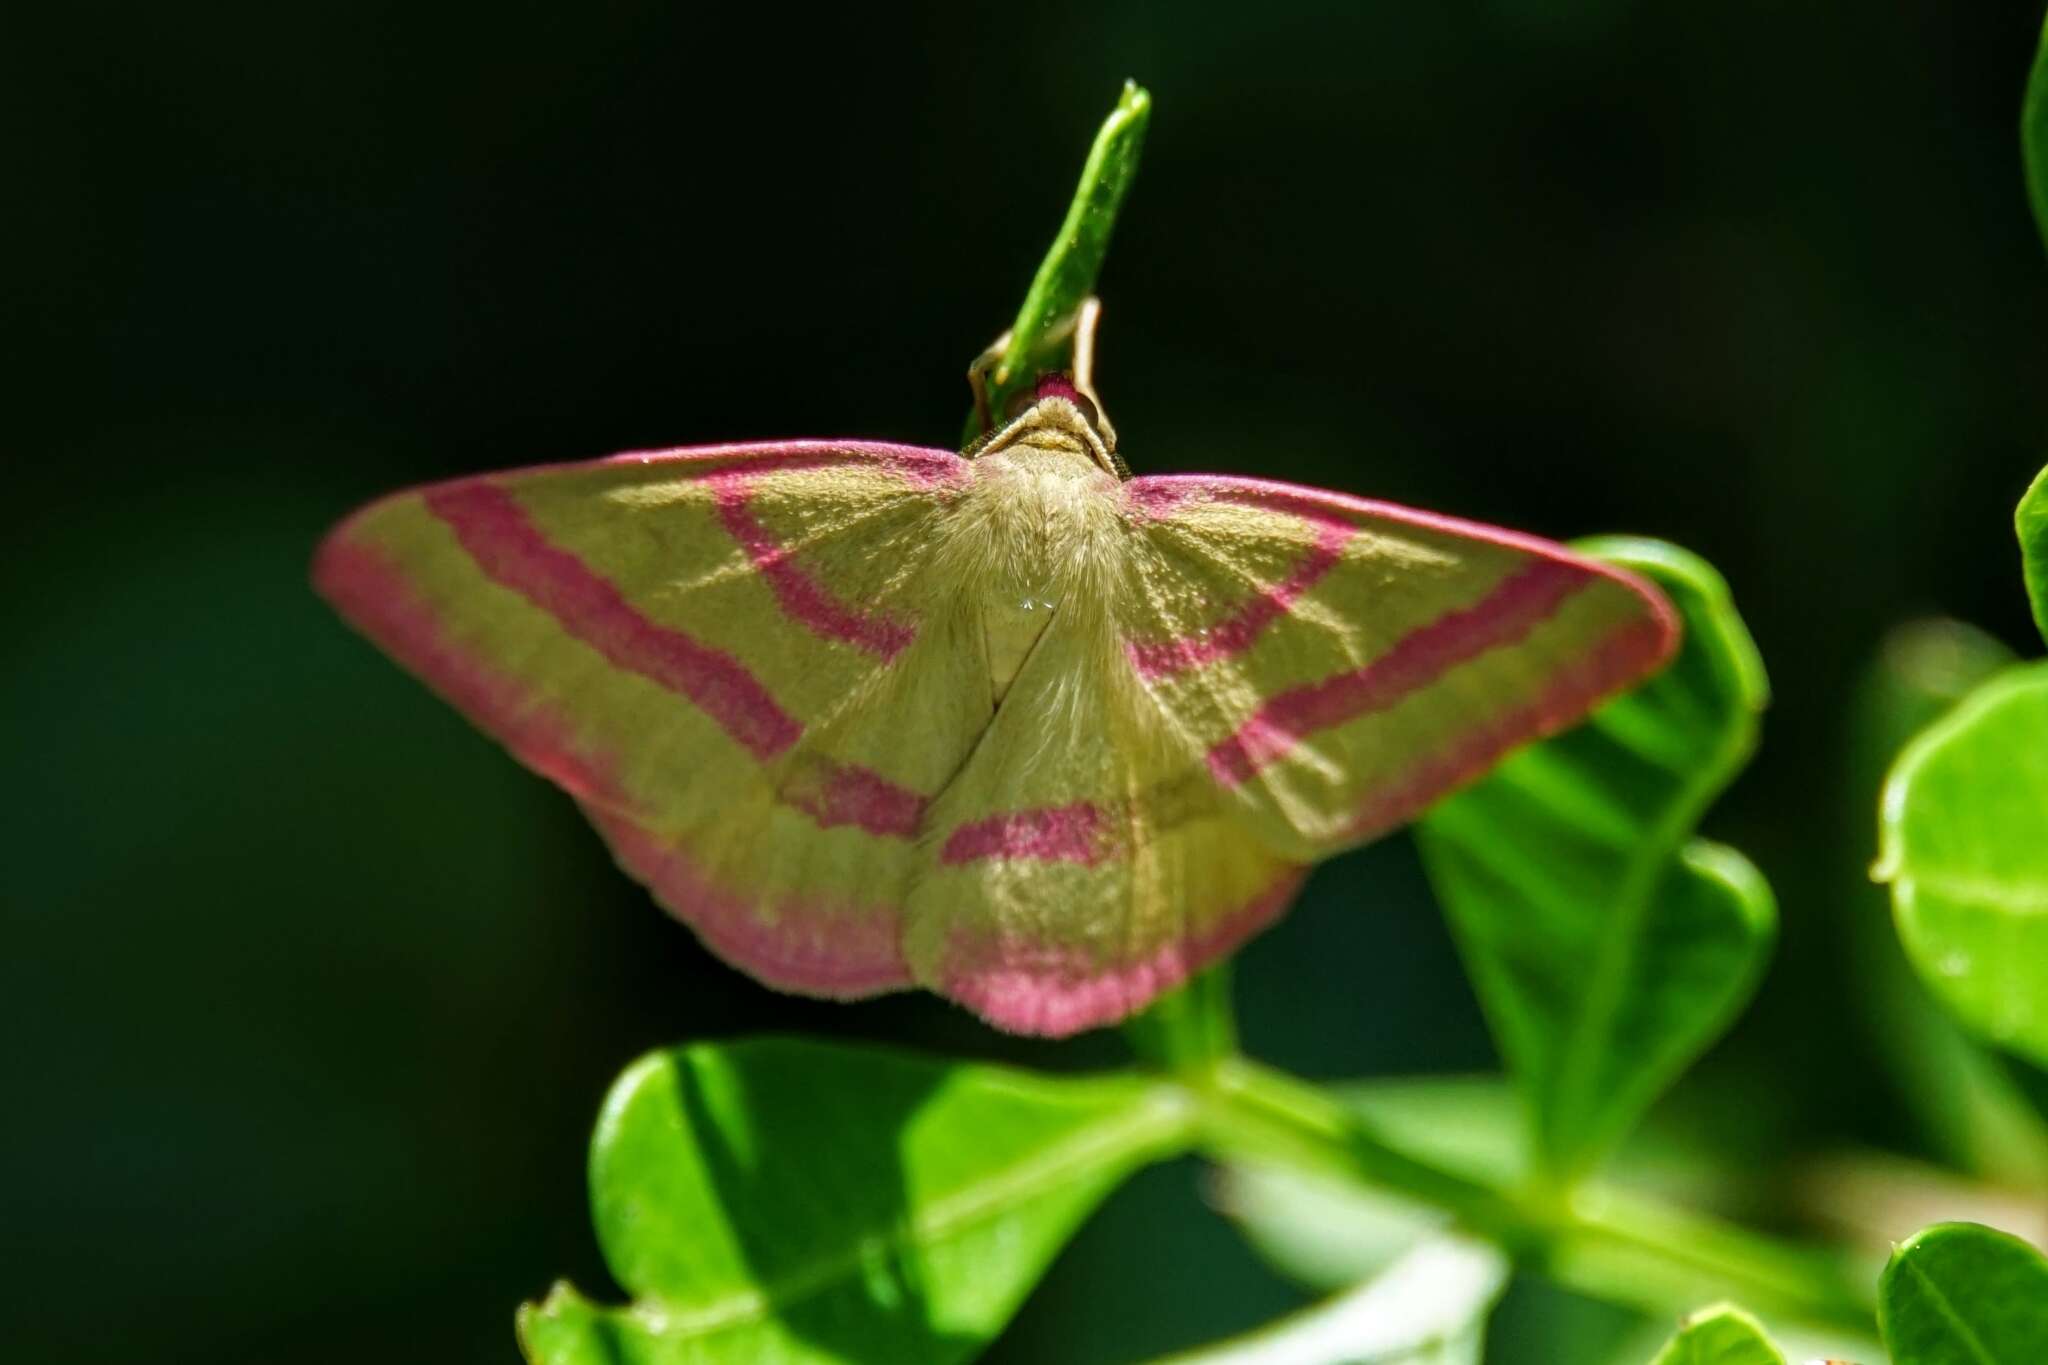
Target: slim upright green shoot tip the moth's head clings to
<point>1043,331</point>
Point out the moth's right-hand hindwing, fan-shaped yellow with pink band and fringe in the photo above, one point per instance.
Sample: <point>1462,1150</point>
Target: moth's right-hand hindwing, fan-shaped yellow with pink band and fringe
<point>1084,861</point>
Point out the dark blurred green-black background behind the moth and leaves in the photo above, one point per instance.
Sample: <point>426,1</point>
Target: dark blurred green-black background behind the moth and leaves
<point>310,994</point>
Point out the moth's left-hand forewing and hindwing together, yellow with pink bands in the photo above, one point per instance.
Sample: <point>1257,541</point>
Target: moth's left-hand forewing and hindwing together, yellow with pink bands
<point>726,656</point>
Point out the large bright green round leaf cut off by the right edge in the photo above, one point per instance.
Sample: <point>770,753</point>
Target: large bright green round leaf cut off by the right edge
<point>1965,848</point>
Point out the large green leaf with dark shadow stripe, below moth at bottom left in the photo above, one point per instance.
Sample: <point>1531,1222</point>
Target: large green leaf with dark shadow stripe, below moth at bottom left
<point>796,1202</point>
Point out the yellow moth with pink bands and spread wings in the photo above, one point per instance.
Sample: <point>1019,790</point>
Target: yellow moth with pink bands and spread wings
<point>1011,723</point>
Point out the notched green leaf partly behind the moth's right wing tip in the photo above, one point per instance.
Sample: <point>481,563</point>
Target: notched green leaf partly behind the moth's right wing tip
<point>1607,946</point>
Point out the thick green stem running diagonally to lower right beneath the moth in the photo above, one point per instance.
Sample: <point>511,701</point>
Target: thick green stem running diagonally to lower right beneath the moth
<point>1607,1245</point>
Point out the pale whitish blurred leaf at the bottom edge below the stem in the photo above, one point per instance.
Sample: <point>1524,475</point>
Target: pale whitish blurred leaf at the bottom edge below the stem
<point>1428,1309</point>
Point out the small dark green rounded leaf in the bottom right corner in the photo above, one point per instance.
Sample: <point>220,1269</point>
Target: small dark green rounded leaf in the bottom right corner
<point>1961,1294</point>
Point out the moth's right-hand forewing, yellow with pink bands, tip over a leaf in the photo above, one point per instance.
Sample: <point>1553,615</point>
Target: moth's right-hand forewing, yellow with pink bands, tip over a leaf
<point>1340,664</point>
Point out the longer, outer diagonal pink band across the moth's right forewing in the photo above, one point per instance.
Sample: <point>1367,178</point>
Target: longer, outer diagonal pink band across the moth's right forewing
<point>1517,607</point>
